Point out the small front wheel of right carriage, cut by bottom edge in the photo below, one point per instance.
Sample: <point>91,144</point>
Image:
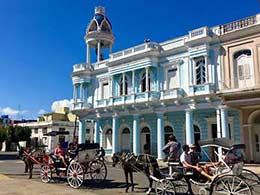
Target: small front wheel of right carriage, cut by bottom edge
<point>164,187</point>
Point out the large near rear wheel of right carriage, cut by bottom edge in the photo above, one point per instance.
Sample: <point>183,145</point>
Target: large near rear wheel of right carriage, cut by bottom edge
<point>230,184</point>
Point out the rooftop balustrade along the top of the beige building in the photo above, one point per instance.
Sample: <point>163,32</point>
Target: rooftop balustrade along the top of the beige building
<point>239,24</point>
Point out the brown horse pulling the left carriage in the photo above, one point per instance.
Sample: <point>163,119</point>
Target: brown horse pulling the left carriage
<point>30,157</point>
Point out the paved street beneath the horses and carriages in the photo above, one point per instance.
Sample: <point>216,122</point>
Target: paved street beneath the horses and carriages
<point>13,181</point>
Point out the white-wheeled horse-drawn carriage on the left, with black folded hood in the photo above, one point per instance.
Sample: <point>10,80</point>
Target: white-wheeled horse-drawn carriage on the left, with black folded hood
<point>88,159</point>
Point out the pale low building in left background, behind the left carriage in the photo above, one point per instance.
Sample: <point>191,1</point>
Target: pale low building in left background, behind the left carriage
<point>57,122</point>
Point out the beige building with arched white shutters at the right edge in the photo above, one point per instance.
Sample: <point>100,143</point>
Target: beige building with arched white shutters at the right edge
<point>240,73</point>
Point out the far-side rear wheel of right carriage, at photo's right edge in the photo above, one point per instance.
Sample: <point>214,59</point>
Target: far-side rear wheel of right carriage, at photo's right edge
<point>251,179</point>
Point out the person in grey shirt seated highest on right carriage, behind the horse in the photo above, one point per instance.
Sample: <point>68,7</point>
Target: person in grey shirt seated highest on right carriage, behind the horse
<point>172,149</point>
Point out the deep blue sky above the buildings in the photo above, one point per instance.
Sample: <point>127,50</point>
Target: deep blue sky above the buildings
<point>40,40</point>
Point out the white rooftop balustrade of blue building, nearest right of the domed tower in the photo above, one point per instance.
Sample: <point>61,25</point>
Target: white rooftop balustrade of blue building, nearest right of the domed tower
<point>137,49</point>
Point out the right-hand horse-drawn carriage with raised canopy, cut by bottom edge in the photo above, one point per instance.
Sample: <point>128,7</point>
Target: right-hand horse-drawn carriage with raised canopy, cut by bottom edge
<point>229,175</point>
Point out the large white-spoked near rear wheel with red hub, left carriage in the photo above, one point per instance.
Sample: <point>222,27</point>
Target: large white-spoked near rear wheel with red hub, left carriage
<point>75,175</point>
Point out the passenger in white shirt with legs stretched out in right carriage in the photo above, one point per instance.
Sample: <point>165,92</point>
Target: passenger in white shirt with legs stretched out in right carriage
<point>185,159</point>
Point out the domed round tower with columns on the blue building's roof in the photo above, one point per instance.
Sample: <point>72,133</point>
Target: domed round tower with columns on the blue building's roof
<point>99,35</point>
